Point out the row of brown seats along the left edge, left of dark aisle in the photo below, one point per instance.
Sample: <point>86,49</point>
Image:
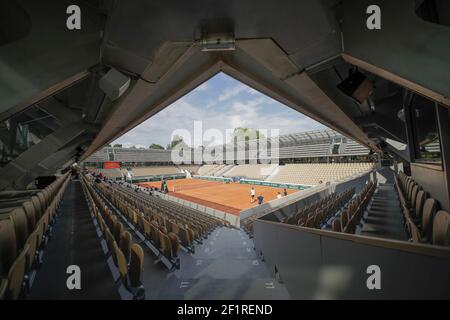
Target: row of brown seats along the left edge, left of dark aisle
<point>23,236</point>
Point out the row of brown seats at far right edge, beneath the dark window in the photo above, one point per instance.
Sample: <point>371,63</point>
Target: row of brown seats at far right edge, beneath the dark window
<point>423,219</point>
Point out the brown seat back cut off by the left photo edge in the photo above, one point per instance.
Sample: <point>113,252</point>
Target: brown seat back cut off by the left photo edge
<point>8,246</point>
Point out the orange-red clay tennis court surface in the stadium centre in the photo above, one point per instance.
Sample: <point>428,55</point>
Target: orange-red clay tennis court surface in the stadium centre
<point>227,197</point>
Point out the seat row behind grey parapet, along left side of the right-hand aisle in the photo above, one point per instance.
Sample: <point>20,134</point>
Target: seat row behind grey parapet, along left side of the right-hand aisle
<point>350,218</point>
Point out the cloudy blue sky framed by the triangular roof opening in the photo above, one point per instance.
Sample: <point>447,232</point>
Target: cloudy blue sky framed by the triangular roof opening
<point>221,103</point>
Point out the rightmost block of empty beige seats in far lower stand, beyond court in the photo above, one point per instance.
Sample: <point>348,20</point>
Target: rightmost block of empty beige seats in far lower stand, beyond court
<point>314,173</point>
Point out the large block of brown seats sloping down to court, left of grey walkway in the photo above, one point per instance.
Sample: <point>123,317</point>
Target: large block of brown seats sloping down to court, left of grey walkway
<point>164,224</point>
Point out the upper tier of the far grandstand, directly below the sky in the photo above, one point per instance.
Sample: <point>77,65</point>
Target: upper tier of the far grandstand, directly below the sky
<point>321,144</point>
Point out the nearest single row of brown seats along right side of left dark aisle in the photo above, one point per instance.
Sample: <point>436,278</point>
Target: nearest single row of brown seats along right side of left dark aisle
<point>127,256</point>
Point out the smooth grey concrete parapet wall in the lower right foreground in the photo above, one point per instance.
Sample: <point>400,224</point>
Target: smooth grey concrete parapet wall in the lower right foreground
<point>316,264</point>
